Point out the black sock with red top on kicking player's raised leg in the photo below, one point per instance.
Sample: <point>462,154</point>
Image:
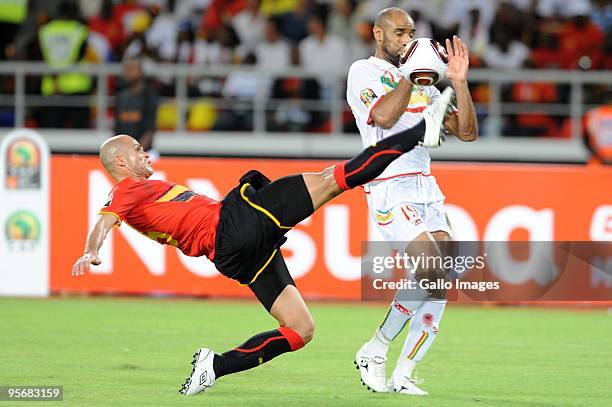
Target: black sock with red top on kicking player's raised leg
<point>372,161</point>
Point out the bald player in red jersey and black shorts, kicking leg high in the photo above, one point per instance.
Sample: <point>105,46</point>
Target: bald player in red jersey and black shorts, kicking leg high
<point>242,233</point>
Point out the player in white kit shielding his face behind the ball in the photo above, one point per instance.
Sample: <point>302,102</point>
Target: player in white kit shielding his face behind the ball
<point>405,199</point>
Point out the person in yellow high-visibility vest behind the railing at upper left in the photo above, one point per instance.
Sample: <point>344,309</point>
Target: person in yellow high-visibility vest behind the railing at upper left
<point>63,42</point>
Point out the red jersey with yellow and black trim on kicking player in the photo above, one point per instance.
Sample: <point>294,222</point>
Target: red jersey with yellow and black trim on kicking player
<point>167,213</point>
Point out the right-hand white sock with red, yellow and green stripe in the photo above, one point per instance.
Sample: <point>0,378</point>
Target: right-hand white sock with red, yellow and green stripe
<point>422,333</point>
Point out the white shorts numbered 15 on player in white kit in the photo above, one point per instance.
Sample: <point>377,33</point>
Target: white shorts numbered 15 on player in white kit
<point>405,221</point>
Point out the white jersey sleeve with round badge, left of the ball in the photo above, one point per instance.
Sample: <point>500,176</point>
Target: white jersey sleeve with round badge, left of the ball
<point>364,90</point>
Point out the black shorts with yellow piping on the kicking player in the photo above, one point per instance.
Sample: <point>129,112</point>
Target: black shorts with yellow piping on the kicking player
<point>254,218</point>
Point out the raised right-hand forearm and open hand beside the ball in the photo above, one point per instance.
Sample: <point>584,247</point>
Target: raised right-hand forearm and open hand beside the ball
<point>464,124</point>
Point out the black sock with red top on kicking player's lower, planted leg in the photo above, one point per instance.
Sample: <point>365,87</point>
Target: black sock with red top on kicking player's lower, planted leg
<point>257,350</point>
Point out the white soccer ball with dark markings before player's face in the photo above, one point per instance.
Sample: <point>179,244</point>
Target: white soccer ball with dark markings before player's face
<point>424,62</point>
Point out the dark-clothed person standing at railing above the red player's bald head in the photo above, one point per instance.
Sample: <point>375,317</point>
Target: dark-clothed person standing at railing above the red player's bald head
<point>136,106</point>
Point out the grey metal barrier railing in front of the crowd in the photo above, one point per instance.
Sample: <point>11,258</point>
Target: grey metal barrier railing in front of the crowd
<point>336,143</point>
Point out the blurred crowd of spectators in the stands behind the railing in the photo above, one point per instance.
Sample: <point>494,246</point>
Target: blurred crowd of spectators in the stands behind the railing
<point>317,35</point>
